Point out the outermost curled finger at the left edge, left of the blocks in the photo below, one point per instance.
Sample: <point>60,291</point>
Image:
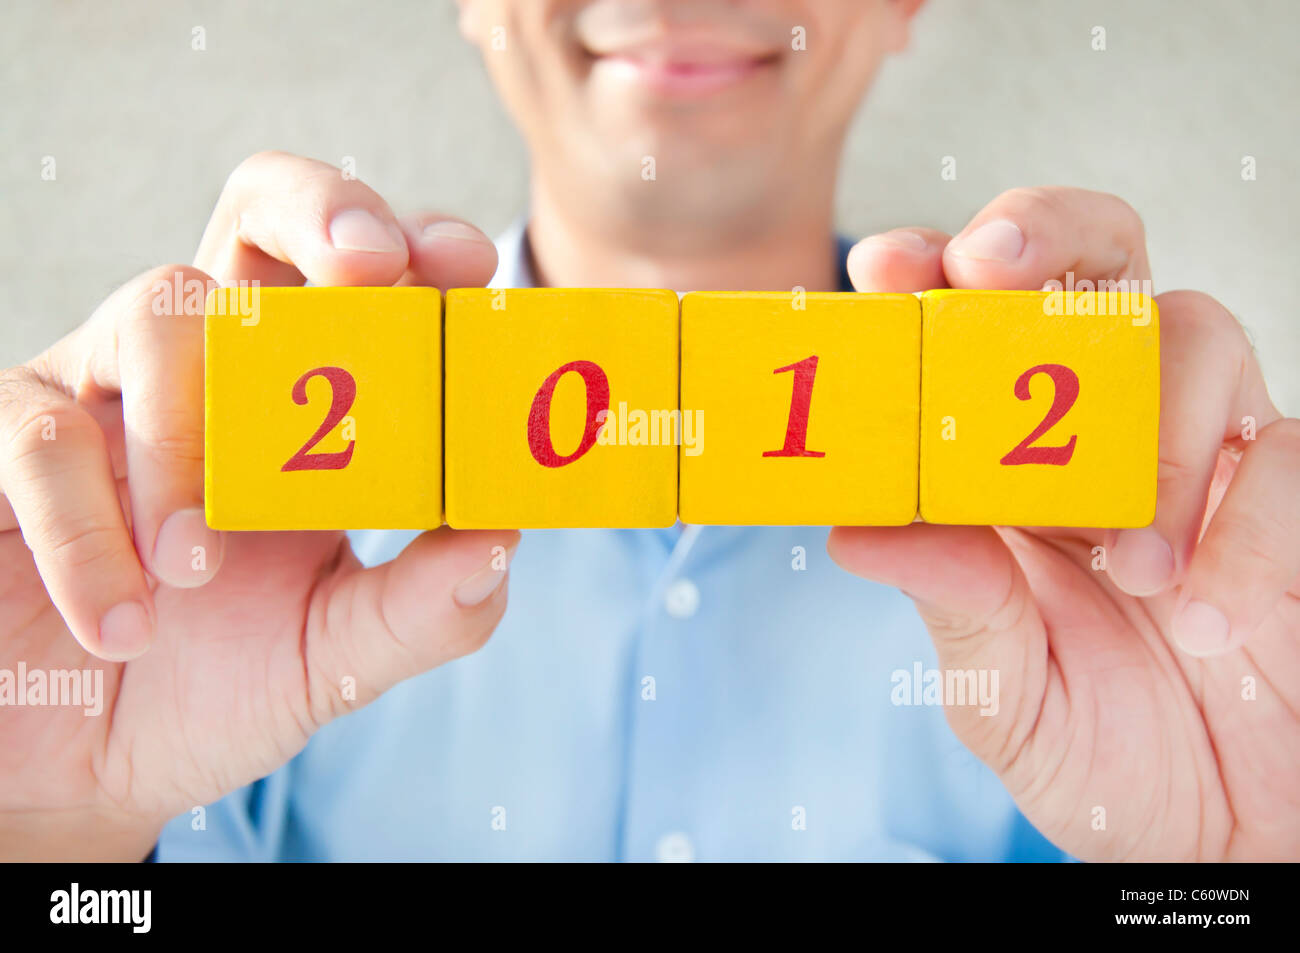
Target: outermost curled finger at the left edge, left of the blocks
<point>57,475</point>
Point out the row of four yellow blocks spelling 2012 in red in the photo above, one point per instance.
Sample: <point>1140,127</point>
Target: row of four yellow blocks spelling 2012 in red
<point>361,408</point>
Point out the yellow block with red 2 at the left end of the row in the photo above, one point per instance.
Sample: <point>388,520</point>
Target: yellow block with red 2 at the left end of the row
<point>323,409</point>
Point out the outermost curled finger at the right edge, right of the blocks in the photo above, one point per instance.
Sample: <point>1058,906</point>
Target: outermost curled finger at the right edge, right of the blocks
<point>1251,553</point>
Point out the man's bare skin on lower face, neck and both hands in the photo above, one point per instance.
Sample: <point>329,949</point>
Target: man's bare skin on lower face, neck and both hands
<point>1115,694</point>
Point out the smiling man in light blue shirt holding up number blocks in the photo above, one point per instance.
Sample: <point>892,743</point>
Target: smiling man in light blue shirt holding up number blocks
<point>674,695</point>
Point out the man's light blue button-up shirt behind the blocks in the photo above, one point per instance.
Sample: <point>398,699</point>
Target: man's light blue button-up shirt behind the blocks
<point>688,694</point>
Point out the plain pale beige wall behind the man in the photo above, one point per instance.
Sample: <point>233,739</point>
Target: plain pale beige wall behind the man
<point>145,131</point>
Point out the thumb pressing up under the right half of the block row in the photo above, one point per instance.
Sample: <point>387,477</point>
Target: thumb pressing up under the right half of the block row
<point>981,614</point>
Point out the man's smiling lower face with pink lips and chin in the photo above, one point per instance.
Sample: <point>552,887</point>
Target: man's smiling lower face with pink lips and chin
<point>704,114</point>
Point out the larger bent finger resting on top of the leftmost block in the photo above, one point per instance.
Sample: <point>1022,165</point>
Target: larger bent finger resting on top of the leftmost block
<point>283,219</point>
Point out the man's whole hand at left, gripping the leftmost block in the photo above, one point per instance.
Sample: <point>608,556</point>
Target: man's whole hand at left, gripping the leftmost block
<point>214,677</point>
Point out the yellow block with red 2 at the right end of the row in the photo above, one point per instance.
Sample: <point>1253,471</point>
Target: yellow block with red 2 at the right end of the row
<point>1039,409</point>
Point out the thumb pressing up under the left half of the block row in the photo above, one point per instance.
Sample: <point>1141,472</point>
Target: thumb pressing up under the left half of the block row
<point>440,600</point>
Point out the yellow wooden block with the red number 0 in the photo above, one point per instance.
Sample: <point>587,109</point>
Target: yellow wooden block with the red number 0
<point>545,395</point>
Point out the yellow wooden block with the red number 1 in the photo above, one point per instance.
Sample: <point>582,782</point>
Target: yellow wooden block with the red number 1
<point>811,404</point>
